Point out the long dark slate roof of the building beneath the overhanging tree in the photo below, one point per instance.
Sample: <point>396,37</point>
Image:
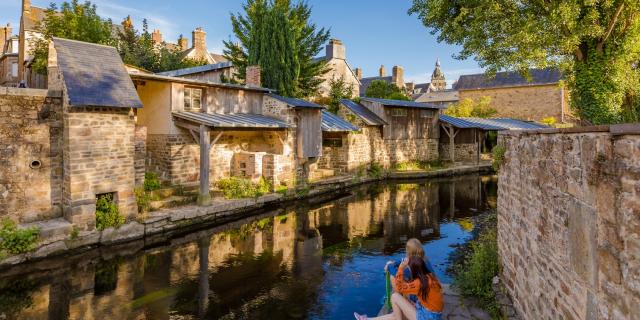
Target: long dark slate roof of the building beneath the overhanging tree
<point>508,79</point>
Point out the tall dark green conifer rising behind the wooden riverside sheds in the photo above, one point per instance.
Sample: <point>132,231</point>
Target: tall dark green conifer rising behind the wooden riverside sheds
<point>280,38</point>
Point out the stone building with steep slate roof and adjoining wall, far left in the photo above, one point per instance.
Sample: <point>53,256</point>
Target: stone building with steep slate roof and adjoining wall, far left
<point>70,144</point>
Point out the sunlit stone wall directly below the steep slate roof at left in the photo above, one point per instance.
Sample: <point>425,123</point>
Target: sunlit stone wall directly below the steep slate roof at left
<point>98,158</point>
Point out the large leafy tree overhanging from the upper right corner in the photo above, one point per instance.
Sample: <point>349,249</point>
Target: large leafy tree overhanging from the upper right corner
<point>595,43</point>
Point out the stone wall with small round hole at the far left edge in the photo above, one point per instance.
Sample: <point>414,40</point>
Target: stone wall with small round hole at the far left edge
<point>30,154</point>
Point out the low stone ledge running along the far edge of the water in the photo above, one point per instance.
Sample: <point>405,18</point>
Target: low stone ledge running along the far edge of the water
<point>57,236</point>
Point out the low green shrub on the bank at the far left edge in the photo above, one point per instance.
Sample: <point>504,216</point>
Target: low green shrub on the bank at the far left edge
<point>16,241</point>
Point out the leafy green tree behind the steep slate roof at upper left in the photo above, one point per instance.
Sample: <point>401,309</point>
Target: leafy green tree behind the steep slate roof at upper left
<point>74,21</point>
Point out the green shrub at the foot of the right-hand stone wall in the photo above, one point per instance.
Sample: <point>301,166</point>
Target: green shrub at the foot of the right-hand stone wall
<point>475,276</point>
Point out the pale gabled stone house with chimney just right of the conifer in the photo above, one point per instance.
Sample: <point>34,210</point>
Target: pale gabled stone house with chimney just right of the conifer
<point>339,68</point>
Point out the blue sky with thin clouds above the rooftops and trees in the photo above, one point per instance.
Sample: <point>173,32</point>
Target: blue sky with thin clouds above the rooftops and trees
<point>374,32</point>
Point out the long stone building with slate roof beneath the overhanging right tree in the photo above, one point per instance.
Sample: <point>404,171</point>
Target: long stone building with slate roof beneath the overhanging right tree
<point>514,96</point>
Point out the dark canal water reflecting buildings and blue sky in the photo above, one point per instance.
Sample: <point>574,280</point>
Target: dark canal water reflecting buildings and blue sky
<point>315,261</point>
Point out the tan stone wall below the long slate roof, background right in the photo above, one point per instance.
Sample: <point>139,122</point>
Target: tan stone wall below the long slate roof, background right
<point>526,103</point>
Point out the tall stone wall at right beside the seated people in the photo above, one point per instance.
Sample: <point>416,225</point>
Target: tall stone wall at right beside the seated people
<point>569,222</point>
